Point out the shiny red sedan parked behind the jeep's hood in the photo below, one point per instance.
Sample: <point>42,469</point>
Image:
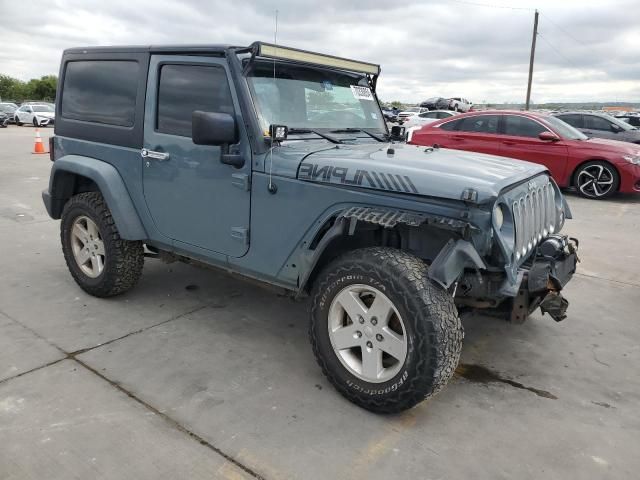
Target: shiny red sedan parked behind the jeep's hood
<point>596,167</point>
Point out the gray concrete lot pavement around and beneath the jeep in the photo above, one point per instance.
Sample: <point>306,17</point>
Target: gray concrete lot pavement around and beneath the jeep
<point>195,374</point>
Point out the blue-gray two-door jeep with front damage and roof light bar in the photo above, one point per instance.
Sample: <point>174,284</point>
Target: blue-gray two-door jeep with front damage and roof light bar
<point>276,163</point>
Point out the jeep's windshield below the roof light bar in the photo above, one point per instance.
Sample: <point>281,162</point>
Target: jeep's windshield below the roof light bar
<point>302,96</point>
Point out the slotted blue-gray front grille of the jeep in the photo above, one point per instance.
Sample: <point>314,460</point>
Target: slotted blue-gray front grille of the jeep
<point>534,218</point>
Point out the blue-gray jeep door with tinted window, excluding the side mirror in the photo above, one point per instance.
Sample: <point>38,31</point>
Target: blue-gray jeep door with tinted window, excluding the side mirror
<point>192,197</point>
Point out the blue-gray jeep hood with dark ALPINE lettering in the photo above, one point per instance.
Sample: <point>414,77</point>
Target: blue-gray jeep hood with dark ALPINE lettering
<point>413,169</point>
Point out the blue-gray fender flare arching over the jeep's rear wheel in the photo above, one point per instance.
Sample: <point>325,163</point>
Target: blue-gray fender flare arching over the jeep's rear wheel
<point>110,184</point>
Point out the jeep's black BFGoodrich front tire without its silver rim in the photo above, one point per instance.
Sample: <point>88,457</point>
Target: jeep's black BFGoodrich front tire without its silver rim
<point>433,328</point>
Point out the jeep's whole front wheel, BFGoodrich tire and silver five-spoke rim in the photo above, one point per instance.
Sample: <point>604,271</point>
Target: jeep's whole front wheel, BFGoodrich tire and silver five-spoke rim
<point>384,335</point>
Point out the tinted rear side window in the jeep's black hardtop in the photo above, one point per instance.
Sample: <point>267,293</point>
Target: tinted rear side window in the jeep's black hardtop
<point>101,91</point>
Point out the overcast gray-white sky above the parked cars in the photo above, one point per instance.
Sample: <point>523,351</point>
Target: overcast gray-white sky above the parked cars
<point>588,50</point>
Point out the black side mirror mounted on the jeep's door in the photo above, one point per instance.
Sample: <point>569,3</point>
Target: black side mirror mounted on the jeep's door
<point>210,128</point>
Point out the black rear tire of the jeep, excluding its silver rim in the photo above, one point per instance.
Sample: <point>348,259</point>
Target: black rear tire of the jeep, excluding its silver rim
<point>124,259</point>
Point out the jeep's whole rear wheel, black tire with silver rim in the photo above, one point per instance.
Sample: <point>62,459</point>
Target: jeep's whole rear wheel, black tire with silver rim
<point>101,263</point>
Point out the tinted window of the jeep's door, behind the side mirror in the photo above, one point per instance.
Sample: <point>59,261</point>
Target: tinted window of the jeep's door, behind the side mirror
<point>185,88</point>
